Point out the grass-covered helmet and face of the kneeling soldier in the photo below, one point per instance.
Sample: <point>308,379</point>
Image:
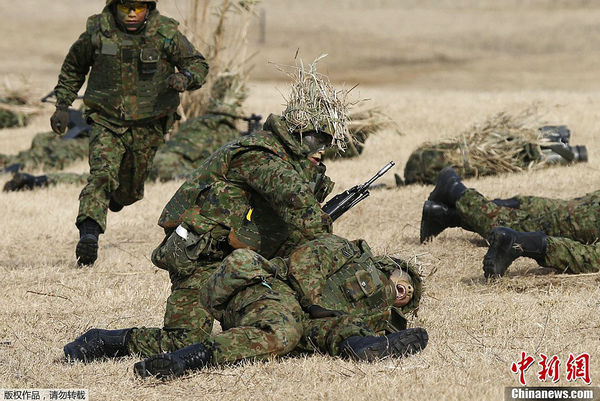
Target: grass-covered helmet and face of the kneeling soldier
<point>316,113</point>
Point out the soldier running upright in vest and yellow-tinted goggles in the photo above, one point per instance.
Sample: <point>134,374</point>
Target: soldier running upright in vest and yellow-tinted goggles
<point>132,95</point>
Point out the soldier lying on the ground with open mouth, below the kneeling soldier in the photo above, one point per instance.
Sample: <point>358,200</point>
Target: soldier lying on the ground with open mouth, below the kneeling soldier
<point>256,301</point>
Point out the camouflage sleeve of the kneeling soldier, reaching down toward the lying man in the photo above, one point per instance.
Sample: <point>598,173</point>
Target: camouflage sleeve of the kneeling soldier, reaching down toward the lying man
<point>283,187</point>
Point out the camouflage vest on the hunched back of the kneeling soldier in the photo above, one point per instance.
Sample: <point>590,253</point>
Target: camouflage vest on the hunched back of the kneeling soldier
<point>209,201</point>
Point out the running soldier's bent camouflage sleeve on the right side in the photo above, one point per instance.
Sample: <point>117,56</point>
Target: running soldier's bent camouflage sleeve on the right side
<point>185,56</point>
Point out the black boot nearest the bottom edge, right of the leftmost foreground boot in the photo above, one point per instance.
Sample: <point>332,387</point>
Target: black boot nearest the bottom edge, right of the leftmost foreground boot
<point>174,364</point>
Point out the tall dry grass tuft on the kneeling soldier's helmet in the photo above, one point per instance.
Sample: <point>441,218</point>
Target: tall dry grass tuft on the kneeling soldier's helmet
<point>314,104</point>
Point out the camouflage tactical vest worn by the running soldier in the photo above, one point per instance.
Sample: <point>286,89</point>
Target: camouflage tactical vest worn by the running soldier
<point>128,80</point>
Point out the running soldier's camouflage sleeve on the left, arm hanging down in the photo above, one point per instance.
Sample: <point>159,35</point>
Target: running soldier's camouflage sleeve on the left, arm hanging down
<point>74,70</point>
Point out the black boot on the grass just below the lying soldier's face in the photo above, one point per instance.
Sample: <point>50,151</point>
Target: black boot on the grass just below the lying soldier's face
<point>370,348</point>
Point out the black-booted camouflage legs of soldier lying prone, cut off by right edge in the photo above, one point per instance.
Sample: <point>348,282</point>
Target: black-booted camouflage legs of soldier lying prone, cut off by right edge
<point>561,234</point>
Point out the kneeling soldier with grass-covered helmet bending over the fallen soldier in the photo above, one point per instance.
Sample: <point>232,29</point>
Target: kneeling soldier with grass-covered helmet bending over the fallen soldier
<point>261,192</point>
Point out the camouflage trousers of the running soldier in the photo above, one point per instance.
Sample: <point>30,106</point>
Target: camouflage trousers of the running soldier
<point>119,165</point>
